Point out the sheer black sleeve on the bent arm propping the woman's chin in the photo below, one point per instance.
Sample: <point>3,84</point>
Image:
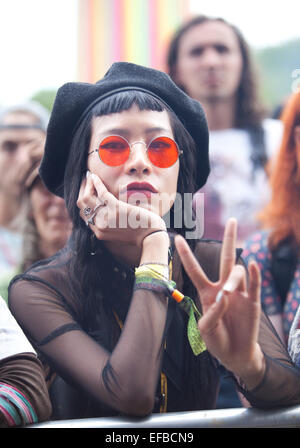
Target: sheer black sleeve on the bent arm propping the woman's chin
<point>125,379</point>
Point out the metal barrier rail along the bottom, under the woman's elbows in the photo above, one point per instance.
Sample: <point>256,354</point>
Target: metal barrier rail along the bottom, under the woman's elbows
<point>219,418</point>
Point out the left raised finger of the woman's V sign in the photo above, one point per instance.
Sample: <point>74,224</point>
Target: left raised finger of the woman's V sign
<point>191,265</point>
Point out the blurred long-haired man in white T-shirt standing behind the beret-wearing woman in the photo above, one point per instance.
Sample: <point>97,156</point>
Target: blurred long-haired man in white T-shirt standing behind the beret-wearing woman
<point>211,61</point>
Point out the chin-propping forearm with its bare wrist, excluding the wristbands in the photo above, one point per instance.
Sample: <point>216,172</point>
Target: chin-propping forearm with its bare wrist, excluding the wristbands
<point>142,337</point>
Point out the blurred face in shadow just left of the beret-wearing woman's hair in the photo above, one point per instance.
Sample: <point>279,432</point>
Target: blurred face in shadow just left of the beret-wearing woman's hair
<point>50,216</point>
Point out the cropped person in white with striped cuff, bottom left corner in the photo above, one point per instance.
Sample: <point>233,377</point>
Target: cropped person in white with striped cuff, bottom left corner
<point>24,397</point>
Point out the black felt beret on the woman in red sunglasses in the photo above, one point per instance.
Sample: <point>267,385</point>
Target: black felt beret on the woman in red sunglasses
<point>74,100</point>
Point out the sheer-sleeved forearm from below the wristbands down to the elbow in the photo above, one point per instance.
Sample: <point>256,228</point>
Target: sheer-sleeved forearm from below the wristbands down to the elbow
<point>136,360</point>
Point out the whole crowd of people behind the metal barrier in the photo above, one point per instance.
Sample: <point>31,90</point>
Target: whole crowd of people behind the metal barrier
<point>107,307</point>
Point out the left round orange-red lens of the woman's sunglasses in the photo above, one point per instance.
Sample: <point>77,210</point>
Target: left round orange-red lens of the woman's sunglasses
<point>114,150</point>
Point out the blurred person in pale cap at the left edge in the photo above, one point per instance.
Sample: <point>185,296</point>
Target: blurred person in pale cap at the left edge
<point>22,137</point>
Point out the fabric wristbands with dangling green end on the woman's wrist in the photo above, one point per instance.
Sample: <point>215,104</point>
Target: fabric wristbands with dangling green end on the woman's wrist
<point>153,277</point>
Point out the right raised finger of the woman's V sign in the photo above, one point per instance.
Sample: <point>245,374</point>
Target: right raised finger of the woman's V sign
<point>228,253</point>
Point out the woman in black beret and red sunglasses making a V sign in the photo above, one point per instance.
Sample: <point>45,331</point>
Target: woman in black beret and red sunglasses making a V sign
<point>102,311</point>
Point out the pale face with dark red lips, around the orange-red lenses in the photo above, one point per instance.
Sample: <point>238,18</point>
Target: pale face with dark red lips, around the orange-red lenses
<point>137,181</point>
